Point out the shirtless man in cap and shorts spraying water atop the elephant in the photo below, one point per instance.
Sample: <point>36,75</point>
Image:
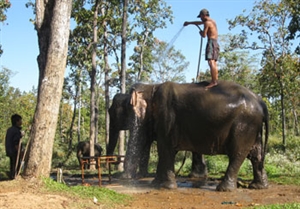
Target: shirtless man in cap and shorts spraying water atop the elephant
<point>212,47</point>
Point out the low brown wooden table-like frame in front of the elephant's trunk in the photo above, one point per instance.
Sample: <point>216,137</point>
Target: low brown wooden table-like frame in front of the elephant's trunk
<point>104,159</point>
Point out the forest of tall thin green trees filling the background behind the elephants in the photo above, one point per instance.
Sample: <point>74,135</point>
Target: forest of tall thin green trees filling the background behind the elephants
<point>99,31</point>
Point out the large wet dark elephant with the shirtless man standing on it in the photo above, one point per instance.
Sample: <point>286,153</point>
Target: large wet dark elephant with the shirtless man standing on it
<point>226,119</point>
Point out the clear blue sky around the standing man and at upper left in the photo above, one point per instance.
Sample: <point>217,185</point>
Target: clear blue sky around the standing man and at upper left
<point>19,39</point>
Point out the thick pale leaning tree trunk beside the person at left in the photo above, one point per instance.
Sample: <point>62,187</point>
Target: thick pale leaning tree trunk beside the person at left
<point>52,25</point>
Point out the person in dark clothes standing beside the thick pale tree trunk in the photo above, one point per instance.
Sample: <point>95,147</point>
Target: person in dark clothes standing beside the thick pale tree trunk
<point>12,141</point>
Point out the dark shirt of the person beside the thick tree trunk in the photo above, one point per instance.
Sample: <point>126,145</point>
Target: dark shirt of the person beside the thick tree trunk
<point>12,139</point>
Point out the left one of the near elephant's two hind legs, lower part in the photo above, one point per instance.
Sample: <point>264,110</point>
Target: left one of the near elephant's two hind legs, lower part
<point>230,180</point>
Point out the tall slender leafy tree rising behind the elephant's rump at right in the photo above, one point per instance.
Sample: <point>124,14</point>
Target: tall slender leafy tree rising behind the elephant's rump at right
<point>268,21</point>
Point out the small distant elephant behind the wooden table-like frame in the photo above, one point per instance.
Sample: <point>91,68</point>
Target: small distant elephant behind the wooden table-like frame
<point>83,150</point>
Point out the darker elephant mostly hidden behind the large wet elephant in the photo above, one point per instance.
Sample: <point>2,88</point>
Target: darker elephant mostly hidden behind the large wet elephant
<point>122,117</point>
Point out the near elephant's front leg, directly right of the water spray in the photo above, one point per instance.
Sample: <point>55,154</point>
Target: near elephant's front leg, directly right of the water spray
<point>165,176</point>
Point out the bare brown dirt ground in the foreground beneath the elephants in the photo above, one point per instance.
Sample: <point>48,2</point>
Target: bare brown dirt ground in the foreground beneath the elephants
<point>191,194</point>
